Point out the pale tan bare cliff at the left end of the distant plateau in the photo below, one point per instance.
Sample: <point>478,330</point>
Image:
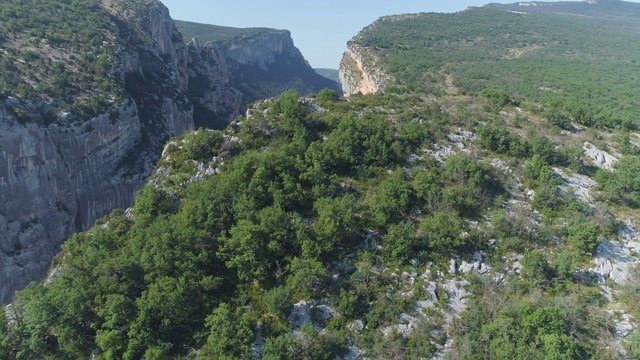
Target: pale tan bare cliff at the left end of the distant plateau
<point>359,73</point>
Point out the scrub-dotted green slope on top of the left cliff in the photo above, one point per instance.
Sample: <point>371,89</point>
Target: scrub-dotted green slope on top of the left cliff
<point>60,50</point>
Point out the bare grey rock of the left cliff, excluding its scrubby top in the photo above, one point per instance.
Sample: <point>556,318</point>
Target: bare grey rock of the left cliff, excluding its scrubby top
<point>58,179</point>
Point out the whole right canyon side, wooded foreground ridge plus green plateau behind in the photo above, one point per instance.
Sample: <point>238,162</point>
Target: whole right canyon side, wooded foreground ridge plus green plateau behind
<point>439,216</point>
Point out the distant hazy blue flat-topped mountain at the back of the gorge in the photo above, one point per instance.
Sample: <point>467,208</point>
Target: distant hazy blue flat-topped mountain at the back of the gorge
<point>265,61</point>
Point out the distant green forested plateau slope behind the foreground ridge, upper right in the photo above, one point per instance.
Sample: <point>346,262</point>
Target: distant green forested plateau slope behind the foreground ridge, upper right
<point>580,68</point>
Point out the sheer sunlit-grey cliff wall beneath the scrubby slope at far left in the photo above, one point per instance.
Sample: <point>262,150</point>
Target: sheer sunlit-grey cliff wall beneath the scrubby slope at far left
<point>55,181</point>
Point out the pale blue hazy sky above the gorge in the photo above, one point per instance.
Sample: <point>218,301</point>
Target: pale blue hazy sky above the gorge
<point>320,29</point>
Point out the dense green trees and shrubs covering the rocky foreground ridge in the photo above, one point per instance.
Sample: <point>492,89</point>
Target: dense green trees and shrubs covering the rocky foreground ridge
<point>314,208</point>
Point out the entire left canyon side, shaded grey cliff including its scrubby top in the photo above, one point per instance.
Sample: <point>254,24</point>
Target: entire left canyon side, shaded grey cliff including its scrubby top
<point>68,158</point>
